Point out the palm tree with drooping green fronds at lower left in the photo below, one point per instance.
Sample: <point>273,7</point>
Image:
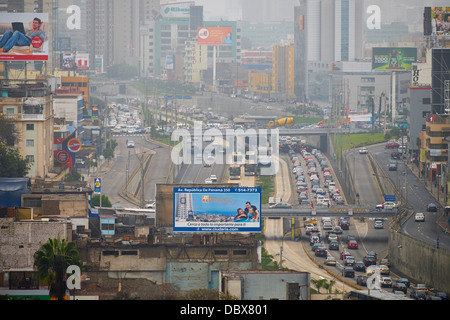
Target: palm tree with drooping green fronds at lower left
<point>51,262</point>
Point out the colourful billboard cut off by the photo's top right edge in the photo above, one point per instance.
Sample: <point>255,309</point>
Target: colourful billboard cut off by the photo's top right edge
<point>437,21</point>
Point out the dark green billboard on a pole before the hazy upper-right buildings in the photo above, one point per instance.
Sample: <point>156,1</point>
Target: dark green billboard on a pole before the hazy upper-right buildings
<point>393,59</point>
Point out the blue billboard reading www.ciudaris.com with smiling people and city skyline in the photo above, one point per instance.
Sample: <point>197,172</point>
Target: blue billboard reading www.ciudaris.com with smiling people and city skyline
<point>216,209</point>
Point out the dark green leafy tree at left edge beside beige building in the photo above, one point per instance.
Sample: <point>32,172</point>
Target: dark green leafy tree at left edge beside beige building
<point>12,165</point>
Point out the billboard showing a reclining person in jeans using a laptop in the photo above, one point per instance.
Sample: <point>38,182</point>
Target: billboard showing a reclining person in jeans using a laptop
<point>24,36</point>
